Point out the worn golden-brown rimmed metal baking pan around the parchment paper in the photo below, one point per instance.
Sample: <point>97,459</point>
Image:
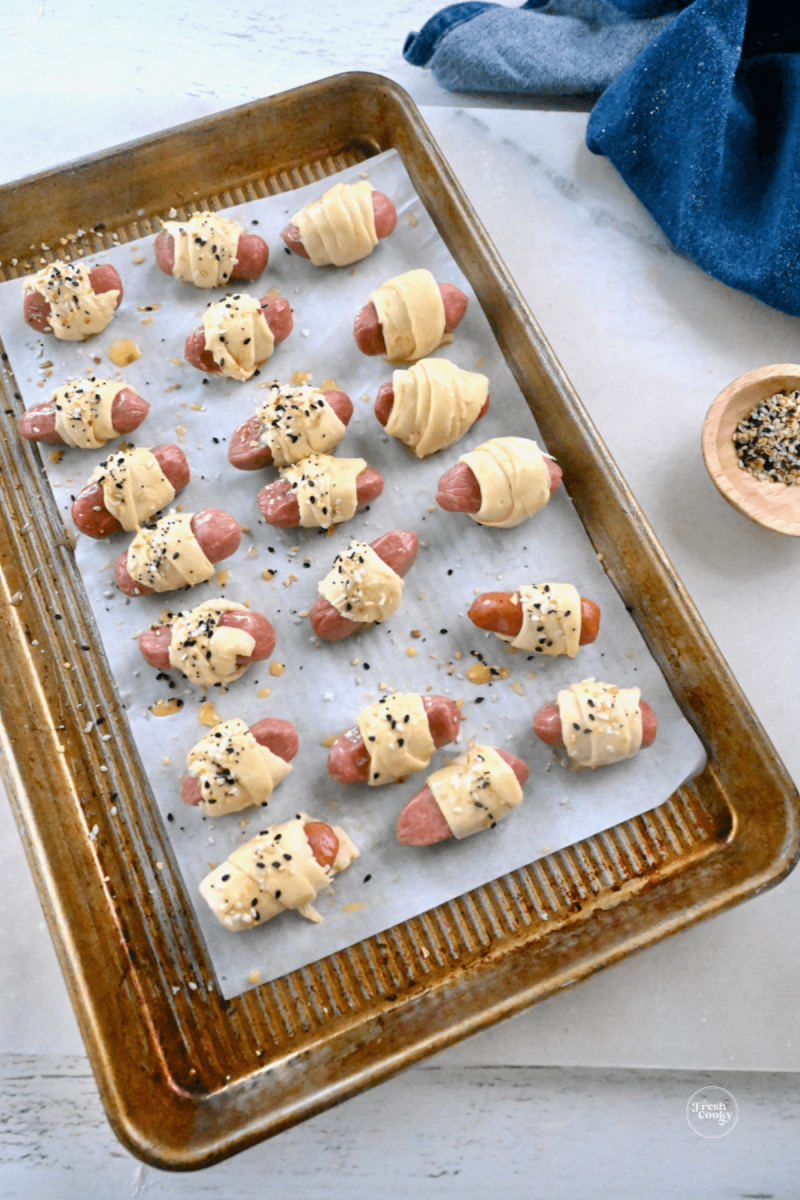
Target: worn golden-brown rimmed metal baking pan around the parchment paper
<point>187,1077</point>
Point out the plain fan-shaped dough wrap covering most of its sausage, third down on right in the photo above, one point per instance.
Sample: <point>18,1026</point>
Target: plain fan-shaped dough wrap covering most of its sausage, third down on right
<point>436,404</point>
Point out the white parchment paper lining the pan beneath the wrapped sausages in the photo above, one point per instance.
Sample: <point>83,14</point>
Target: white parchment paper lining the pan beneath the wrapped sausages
<point>323,688</point>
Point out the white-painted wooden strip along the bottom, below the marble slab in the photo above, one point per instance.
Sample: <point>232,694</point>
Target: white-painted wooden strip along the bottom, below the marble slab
<point>435,1132</point>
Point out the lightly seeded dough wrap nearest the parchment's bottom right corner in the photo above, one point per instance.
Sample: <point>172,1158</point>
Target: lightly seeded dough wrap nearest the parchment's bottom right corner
<point>600,724</point>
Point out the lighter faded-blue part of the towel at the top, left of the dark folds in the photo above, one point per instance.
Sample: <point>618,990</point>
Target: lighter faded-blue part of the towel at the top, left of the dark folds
<point>546,47</point>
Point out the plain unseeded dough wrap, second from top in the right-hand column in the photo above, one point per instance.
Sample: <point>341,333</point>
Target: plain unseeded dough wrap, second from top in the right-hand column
<point>412,316</point>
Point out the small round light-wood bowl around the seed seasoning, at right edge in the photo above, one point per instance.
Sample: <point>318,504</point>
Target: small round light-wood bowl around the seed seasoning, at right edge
<point>773,506</point>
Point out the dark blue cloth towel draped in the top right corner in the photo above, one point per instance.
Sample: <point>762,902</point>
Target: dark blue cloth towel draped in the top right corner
<point>705,128</point>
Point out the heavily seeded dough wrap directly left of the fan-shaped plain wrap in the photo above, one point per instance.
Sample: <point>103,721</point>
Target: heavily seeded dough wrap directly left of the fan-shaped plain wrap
<point>299,422</point>
